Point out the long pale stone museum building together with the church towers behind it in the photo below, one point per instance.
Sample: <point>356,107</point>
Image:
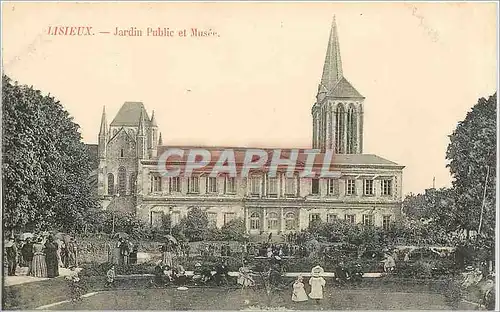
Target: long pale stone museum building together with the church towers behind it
<point>368,189</point>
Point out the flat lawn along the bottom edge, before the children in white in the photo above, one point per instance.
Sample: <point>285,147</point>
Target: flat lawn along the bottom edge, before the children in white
<point>234,299</point>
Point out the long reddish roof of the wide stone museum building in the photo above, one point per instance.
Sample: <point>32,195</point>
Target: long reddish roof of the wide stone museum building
<point>337,159</point>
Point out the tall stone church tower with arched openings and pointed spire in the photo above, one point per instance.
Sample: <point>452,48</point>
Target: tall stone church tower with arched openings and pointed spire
<point>338,111</point>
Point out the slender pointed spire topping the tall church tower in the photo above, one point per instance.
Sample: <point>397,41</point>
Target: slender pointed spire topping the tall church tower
<point>332,69</point>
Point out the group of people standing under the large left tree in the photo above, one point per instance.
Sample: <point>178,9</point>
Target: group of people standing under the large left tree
<point>42,254</point>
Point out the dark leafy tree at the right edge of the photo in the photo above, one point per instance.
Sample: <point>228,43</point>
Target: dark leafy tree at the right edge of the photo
<point>472,162</point>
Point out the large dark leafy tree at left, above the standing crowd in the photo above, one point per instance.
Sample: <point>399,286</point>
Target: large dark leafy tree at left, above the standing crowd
<point>45,163</point>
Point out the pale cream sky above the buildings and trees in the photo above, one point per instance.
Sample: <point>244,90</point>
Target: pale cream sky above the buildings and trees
<point>420,66</point>
